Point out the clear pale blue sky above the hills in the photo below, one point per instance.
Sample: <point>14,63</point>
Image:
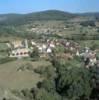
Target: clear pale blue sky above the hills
<point>27,6</point>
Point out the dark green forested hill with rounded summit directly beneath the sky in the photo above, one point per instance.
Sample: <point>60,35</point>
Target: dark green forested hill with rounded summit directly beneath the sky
<point>27,18</point>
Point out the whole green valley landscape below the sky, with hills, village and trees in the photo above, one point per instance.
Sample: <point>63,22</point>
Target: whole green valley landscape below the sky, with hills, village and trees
<point>49,54</point>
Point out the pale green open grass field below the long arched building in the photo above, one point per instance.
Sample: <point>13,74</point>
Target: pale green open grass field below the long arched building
<point>12,79</point>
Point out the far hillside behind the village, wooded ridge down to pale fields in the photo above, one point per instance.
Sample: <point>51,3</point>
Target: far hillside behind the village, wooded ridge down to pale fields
<point>47,22</point>
